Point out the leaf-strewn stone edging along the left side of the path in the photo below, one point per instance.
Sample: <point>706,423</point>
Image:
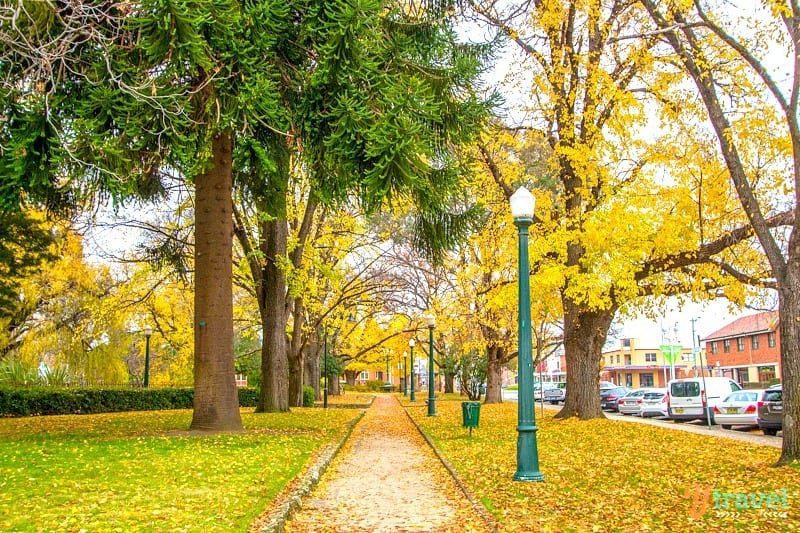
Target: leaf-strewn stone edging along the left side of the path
<point>275,518</point>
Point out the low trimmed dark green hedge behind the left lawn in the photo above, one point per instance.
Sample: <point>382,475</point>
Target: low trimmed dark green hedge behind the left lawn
<point>30,402</point>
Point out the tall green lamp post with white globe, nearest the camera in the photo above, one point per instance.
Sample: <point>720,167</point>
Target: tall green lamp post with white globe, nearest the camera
<point>522,204</point>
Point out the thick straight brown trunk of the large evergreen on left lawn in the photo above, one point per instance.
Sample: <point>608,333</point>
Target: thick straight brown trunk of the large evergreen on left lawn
<point>216,401</point>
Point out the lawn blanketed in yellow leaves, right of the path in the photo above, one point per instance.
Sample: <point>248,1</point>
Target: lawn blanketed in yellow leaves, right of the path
<point>615,475</point>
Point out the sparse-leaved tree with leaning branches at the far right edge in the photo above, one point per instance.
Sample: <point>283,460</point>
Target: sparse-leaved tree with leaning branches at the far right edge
<point>754,117</point>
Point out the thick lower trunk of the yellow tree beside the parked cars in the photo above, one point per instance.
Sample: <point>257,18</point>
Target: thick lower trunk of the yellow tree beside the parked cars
<point>584,337</point>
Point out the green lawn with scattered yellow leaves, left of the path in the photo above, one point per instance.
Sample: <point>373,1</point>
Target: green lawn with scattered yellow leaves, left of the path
<point>140,471</point>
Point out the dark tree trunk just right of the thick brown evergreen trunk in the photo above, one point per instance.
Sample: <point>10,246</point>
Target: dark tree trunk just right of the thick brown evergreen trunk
<point>274,359</point>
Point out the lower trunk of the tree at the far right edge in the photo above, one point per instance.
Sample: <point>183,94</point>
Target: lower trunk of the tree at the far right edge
<point>789,312</point>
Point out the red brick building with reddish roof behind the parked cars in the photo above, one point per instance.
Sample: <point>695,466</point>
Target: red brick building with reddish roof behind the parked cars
<point>747,350</point>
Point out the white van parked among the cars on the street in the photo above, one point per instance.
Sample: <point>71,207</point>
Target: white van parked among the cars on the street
<point>688,397</point>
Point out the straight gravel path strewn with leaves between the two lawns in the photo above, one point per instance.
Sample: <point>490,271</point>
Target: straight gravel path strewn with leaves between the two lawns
<point>386,478</point>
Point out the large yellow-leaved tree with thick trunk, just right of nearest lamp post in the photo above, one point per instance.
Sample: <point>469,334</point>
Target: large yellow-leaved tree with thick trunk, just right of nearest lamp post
<point>616,223</point>
